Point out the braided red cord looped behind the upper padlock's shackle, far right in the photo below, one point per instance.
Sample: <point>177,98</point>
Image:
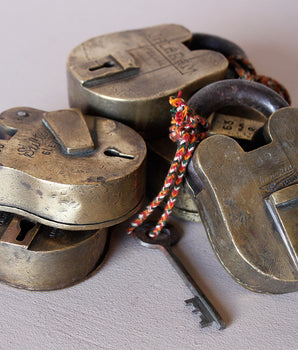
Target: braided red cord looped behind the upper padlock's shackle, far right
<point>245,70</point>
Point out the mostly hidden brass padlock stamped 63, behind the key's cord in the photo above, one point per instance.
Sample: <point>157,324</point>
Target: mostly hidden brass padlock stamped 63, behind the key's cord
<point>241,123</point>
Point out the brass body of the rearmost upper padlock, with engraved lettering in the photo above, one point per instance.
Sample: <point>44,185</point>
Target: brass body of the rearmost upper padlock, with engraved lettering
<point>129,76</point>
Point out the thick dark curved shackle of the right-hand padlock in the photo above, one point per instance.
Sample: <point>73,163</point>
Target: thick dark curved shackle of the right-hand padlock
<point>236,92</point>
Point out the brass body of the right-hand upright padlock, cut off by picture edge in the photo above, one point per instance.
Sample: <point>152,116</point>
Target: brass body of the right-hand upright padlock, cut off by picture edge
<point>248,202</point>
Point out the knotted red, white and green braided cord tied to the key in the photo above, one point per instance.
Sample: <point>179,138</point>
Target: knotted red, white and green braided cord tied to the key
<point>187,129</point>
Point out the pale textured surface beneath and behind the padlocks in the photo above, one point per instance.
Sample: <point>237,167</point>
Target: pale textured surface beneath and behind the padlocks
<point>135,301</point>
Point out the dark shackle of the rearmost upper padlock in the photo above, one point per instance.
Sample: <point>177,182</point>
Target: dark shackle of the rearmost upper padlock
<point>200,41</point>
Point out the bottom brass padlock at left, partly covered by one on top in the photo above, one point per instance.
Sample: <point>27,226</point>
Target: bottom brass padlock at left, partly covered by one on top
<point>37,257</point>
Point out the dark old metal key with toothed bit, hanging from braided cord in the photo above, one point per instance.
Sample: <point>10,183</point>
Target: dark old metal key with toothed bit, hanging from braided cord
<point>164,241</point>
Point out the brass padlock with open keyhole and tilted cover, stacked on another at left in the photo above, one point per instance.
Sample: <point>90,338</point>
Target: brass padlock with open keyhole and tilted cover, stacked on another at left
<point>70,171</point>
